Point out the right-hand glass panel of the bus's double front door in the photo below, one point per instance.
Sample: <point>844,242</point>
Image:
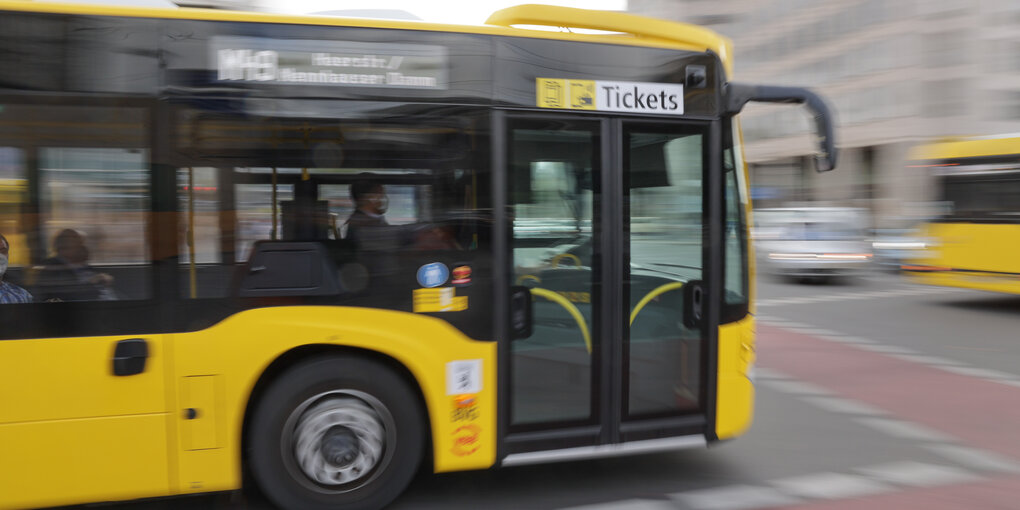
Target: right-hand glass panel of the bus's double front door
<point>664,172</point>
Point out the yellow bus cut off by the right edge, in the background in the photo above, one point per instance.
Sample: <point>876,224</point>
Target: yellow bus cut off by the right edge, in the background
<point>973,242</point>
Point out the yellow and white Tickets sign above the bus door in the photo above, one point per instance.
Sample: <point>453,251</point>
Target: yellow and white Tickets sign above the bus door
<point>635,97</point>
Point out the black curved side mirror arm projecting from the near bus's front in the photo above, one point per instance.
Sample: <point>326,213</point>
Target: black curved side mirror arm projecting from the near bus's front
<point>739,95</point>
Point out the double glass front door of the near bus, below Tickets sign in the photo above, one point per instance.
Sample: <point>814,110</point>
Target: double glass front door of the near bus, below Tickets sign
<point>607,235</point>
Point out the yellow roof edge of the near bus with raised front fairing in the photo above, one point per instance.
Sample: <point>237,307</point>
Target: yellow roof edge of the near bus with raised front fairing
<point>617,28</point>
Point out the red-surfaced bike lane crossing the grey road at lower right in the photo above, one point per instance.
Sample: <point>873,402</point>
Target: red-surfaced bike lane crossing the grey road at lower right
<point>974,412</point>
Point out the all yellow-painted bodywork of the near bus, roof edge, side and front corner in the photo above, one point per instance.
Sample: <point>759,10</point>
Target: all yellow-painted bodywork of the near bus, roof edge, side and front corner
<point>121,440</point>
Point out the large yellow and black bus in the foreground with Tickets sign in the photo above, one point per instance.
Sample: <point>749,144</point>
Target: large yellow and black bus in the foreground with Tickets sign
<point>316,254</point>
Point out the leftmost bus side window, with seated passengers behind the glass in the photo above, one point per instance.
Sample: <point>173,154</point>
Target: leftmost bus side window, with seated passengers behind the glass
<point>75,200</point>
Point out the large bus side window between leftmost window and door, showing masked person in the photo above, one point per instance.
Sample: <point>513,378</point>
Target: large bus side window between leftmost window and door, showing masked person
<point>373,200</point>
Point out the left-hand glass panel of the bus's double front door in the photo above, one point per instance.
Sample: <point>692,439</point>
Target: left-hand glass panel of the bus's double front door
<point>553,195</point>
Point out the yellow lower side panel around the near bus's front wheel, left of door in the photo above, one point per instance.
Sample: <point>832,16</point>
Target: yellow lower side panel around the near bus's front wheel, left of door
<point>215,371</point>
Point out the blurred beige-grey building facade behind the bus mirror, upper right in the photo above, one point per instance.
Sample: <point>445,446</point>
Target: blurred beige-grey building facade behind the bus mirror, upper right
<point>898,73</point>
